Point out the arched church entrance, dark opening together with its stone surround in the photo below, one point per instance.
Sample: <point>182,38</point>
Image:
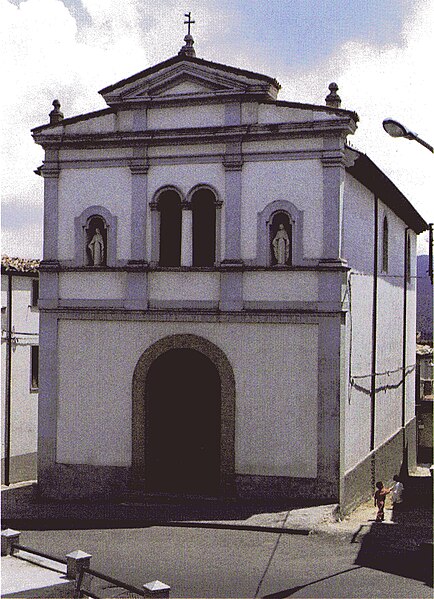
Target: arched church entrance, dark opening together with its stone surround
<point>183,426</point>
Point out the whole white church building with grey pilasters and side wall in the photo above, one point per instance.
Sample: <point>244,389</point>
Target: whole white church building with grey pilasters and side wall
<point>227,302</point>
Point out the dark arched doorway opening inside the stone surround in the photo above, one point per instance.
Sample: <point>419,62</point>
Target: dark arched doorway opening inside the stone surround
<point>182,404</point>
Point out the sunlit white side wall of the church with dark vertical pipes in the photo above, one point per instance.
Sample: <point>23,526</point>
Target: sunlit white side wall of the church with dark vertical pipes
<point>392,412</point>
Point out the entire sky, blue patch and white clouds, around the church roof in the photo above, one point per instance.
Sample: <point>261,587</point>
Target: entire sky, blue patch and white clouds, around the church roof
<point>379,52</point>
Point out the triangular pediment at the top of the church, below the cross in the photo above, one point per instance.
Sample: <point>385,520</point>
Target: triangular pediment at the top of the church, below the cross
<point>184,79</point>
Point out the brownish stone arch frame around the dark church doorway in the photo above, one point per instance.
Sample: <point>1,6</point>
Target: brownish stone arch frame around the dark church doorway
<point>227,414</point>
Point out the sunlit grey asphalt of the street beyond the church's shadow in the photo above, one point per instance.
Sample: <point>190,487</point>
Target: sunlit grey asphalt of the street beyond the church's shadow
<point>236,563</point>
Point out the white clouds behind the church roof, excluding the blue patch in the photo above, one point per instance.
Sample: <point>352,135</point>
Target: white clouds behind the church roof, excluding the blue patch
<point>52,52</point>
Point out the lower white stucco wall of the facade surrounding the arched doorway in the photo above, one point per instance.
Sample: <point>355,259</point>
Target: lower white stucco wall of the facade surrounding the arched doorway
<point>276,410</point>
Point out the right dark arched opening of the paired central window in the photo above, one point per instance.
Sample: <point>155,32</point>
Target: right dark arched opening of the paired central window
<point>203,204</point>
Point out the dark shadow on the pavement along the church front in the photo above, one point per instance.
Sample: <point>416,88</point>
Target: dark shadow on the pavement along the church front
<point>24,510</point>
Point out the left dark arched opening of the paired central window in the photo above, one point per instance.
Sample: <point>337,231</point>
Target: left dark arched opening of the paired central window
<point>169,205</point>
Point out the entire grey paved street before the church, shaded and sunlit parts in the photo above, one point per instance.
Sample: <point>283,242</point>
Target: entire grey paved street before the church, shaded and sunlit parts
<point>213,549</point>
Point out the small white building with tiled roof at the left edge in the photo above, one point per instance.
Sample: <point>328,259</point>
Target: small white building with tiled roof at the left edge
<point>20,368</point>
